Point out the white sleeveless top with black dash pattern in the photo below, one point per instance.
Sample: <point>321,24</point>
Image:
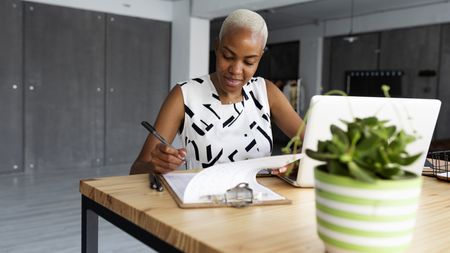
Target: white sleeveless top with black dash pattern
<point>217,133</point>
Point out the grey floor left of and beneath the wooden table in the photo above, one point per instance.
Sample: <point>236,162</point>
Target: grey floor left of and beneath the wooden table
<point>40,211</point>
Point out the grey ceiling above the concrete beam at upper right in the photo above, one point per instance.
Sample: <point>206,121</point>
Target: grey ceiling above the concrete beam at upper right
<point>322,10</point>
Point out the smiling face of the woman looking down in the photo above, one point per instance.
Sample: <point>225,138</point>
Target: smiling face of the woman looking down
<point>237,58</point>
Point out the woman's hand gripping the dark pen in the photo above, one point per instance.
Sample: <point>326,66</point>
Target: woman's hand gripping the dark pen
<point>166,158</point>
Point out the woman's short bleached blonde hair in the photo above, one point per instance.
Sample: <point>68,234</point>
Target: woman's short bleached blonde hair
<point>244,18</point>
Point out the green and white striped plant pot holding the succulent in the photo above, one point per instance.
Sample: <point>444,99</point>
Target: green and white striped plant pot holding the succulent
<point>354,216</point>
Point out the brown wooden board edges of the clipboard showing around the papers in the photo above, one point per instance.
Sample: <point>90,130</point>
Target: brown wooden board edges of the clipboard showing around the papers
<point>181,204</point>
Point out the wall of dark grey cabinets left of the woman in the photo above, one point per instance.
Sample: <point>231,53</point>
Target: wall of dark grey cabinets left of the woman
<point>88,80</point>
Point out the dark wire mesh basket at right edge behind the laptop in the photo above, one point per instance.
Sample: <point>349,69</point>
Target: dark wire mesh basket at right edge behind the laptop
<point>437,165</point>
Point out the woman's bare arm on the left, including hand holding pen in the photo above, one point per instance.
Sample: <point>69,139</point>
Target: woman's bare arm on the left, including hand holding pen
<point>155,156</point>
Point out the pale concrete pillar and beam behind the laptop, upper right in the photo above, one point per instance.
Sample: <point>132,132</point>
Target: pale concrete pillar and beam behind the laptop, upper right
<point>311,36</point>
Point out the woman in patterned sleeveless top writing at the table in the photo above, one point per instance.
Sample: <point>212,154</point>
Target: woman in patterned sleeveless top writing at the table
<point>225,116</point>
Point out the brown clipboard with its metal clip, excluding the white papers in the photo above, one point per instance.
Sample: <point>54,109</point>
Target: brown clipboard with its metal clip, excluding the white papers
<point>238,201</point>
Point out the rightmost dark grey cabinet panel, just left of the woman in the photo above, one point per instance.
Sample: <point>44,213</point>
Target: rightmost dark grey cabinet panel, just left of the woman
<point>138,65</point>
